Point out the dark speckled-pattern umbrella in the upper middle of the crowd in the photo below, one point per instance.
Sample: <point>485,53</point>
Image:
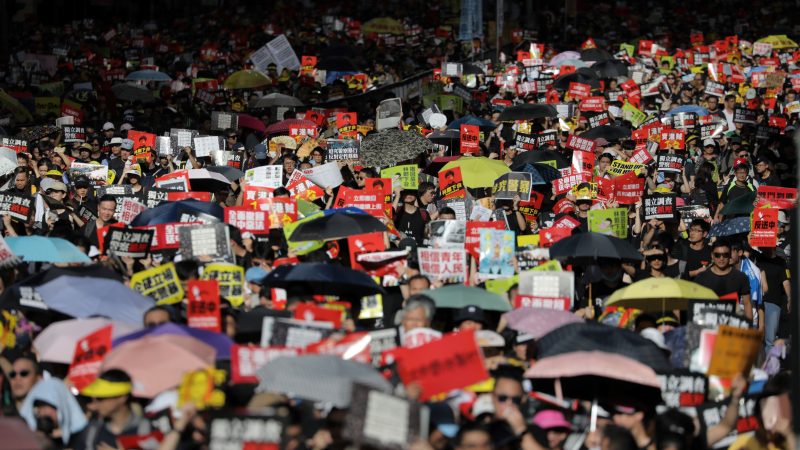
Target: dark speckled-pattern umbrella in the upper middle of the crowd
<point>391,146</point>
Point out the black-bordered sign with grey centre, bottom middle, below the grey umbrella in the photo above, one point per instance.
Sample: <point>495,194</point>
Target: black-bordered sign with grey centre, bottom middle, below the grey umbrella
<point>381,420</point>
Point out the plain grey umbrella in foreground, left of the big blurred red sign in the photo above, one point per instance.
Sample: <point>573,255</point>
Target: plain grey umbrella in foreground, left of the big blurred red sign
<point>322,378</point>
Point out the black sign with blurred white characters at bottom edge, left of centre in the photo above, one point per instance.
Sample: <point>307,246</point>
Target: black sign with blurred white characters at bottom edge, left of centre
<point>245,431</point>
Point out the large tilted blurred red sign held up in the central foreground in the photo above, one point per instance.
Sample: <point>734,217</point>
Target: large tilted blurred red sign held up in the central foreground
<point>453,362</point>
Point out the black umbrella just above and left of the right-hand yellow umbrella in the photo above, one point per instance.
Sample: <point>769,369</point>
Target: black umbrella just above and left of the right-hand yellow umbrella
<point>589,248</point>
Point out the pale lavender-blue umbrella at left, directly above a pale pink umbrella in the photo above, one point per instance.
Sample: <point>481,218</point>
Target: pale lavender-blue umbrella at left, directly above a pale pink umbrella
<point>86,297</point>
